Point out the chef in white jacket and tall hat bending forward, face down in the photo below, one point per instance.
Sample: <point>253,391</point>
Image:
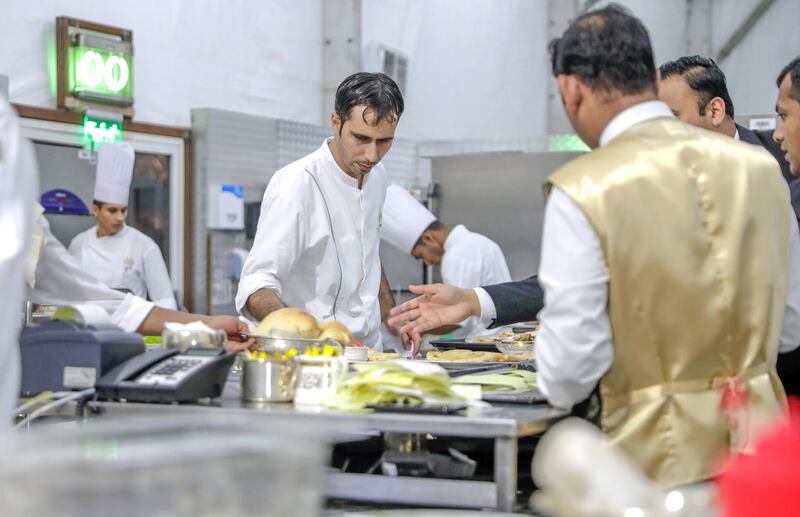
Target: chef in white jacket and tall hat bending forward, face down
<point>467,259</point>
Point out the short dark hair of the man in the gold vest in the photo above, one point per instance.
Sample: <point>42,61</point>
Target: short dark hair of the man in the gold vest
<point>607,49</point>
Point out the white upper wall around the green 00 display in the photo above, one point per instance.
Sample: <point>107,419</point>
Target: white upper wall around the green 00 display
<point>263,58</point>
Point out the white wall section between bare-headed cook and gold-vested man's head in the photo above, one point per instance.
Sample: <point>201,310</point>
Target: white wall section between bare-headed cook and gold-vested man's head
<point>476,67</point>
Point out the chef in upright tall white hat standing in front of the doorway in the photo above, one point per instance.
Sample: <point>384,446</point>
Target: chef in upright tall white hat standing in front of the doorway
<point>122,257</point>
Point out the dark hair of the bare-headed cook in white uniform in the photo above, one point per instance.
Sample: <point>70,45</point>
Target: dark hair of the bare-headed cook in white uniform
<point>378,92</point>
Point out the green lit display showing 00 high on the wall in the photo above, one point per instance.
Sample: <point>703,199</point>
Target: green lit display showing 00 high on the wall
<point>100,70</point>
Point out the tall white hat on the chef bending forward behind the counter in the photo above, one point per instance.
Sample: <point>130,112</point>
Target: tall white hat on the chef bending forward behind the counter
<point>404,219</point>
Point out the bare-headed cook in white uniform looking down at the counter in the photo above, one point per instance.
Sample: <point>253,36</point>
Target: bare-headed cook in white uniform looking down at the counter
<point>316,246</point>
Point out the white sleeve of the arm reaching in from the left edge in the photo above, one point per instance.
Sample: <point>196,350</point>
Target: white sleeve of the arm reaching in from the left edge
<point>60,280</point>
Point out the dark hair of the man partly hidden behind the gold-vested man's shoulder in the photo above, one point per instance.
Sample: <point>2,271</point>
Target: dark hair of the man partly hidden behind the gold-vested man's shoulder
<point>703,76</point>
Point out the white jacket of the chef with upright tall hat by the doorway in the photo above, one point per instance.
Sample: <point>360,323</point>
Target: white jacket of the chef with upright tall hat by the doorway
<point>129,260</point>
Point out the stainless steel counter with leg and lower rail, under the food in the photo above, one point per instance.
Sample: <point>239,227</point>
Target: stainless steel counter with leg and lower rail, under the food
<point>504,424</point>
